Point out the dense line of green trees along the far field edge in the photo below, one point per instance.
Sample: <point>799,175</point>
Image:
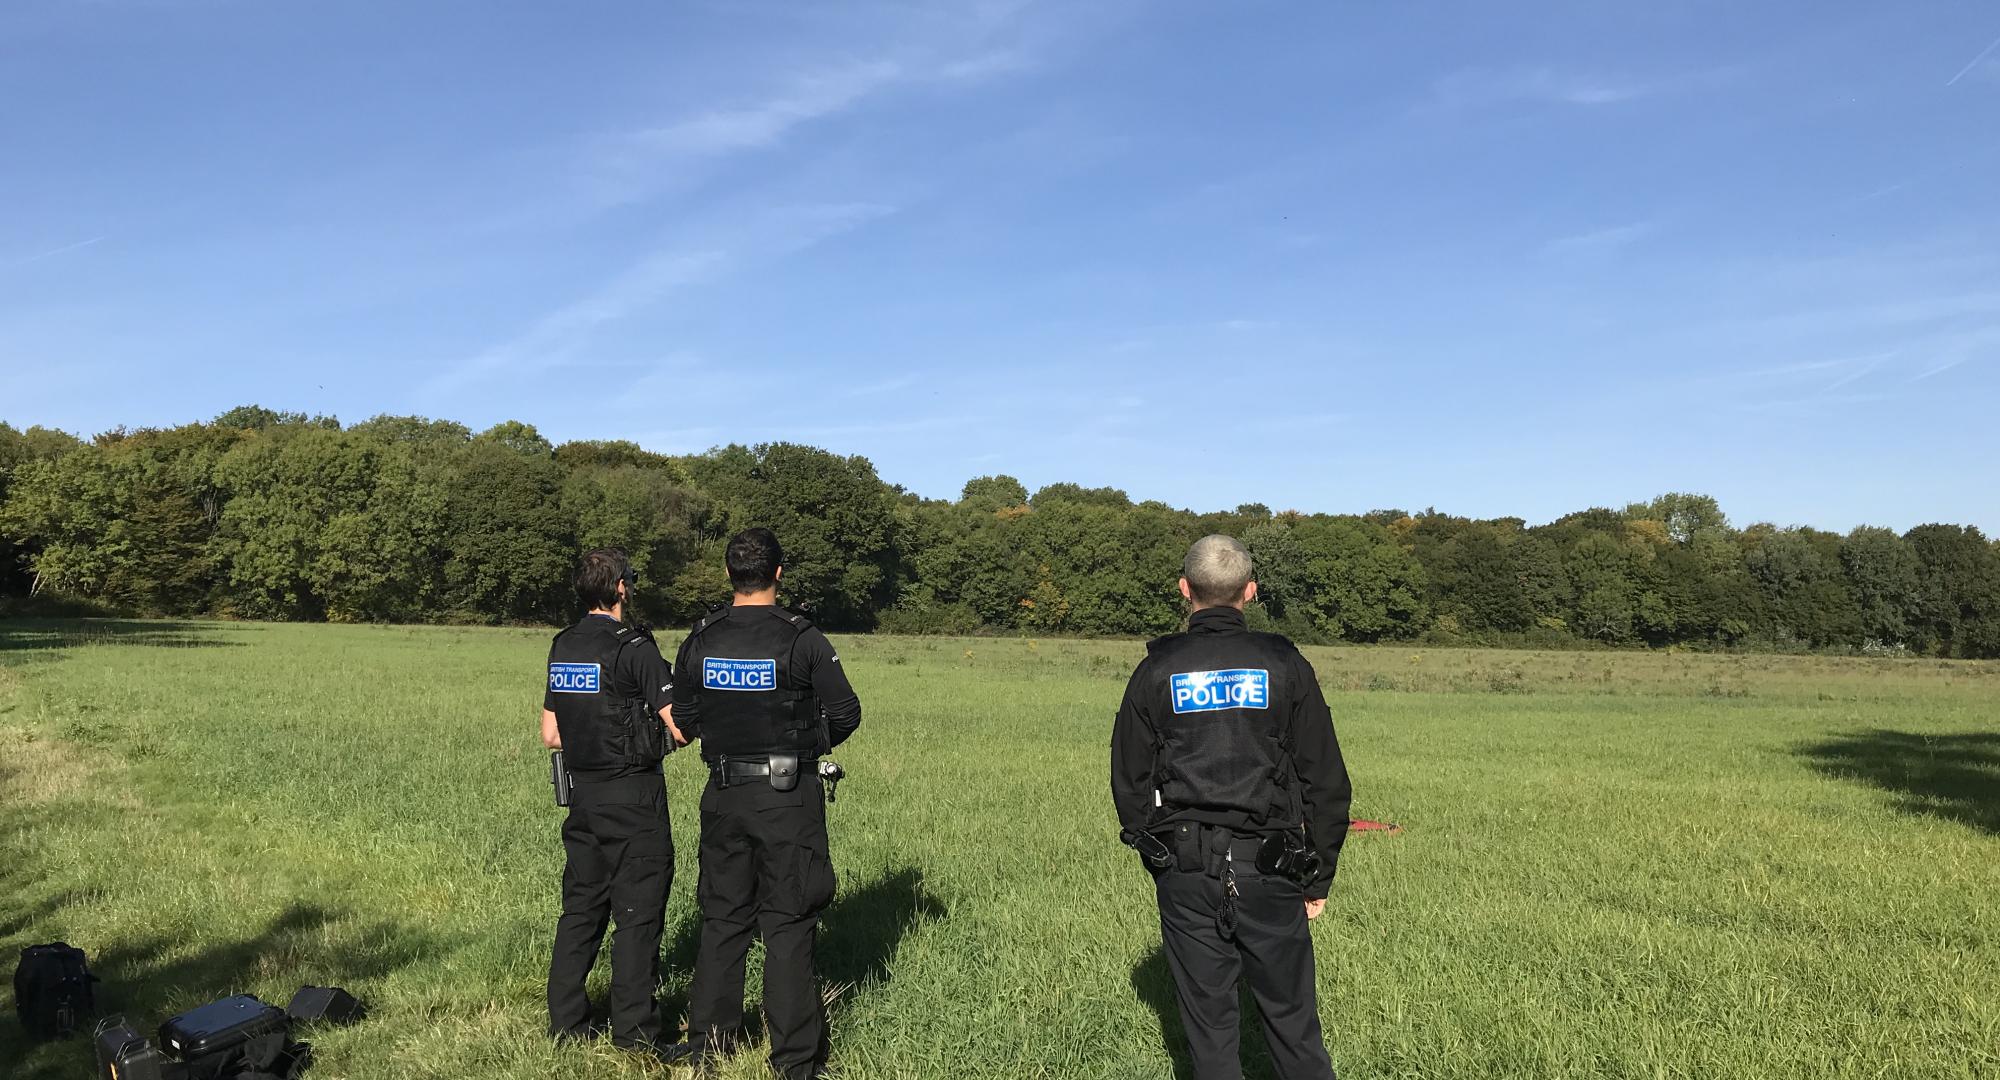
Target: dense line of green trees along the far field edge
<point>273,515</point>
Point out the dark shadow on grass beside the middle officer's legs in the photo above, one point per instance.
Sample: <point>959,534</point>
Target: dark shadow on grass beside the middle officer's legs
<point>859,937</point>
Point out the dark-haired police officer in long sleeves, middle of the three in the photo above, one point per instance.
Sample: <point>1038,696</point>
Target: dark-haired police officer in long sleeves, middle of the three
<point>765,693</point>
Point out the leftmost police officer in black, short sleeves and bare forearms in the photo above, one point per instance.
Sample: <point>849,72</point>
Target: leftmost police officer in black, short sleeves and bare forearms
<point>609,709</point>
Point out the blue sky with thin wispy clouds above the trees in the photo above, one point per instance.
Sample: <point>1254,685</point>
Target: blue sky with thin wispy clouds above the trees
<point>1495,259</point>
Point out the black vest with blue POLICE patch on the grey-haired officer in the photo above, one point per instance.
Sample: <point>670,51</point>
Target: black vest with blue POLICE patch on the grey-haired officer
<point>1221,707</point>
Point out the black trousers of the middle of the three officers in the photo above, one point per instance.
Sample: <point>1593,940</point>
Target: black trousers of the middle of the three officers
<point>765,873</point>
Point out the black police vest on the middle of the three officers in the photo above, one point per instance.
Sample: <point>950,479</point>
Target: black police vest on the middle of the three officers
<point>753,699</point>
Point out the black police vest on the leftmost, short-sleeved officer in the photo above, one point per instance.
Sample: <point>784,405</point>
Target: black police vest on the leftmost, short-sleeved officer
<point>601,715</point>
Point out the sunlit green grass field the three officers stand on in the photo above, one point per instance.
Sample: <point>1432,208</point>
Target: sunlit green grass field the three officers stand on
<point>1615,865</point>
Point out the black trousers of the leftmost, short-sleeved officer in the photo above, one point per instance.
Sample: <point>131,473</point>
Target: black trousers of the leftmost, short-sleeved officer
<point>621,865</point>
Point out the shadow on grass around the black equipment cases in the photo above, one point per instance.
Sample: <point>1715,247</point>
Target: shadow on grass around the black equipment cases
<point>157,977</point>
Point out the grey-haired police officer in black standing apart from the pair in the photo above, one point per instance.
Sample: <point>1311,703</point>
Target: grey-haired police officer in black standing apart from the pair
<point>1229,779</point>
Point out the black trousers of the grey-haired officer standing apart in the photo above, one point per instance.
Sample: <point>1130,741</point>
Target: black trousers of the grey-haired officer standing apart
<point>1273,953</point>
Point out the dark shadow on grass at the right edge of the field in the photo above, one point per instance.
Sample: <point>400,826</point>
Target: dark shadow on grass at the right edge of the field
<point>1949,777</point>
